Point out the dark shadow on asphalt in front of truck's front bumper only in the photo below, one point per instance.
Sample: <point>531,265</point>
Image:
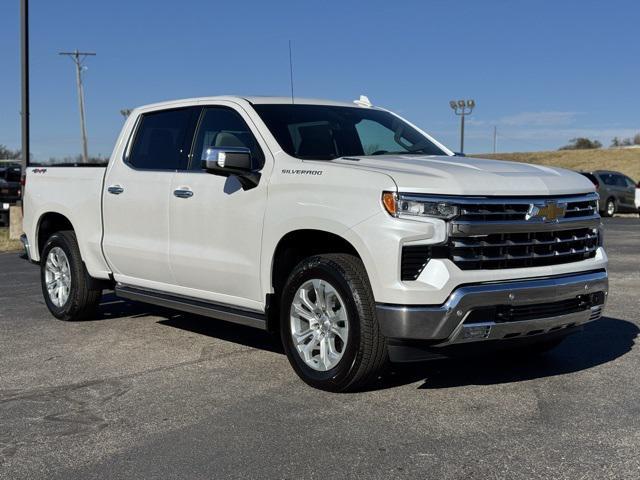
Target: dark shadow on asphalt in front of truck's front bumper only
<point>600,342</point>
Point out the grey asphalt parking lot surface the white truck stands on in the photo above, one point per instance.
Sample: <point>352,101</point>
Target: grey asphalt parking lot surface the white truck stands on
<point>143,392</point>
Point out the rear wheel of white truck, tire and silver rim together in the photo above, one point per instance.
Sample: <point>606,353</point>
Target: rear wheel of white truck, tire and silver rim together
<point>68,290</point>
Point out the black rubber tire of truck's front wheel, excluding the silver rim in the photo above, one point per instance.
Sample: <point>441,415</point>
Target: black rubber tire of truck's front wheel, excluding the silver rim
<point>365,353</point>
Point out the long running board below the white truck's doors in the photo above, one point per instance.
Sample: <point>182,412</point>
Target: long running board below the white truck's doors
<point>192,305</point>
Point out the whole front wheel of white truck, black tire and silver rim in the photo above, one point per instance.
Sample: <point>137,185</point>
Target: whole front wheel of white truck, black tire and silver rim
<point>328,324</point>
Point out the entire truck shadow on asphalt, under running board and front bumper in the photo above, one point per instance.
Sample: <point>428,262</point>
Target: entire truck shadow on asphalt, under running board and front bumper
<point>600,342</point>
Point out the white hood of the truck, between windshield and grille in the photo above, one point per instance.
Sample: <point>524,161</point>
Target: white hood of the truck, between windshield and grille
<point>446,175</point>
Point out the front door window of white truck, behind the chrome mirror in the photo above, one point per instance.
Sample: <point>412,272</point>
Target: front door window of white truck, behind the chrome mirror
<point>223,127</point>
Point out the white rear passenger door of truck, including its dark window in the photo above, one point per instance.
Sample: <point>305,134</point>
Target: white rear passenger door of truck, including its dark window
<point>137,194</point>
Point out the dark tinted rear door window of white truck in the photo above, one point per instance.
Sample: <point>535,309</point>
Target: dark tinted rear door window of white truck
<point>159,140</point>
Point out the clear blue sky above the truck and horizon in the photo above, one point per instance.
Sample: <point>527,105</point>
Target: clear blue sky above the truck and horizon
<point>542,71</point>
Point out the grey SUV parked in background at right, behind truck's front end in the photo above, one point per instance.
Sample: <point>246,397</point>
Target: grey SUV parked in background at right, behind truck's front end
<point>617,192</point>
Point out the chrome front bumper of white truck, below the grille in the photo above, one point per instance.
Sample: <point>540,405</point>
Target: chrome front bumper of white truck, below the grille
<point>445,324</point>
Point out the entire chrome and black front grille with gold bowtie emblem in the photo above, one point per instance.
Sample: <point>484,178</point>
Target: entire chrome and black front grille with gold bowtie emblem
<point>496,232</point>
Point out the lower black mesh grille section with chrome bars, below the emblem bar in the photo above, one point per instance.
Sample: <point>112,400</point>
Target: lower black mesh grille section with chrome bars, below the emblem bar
<point>517,250</point>
